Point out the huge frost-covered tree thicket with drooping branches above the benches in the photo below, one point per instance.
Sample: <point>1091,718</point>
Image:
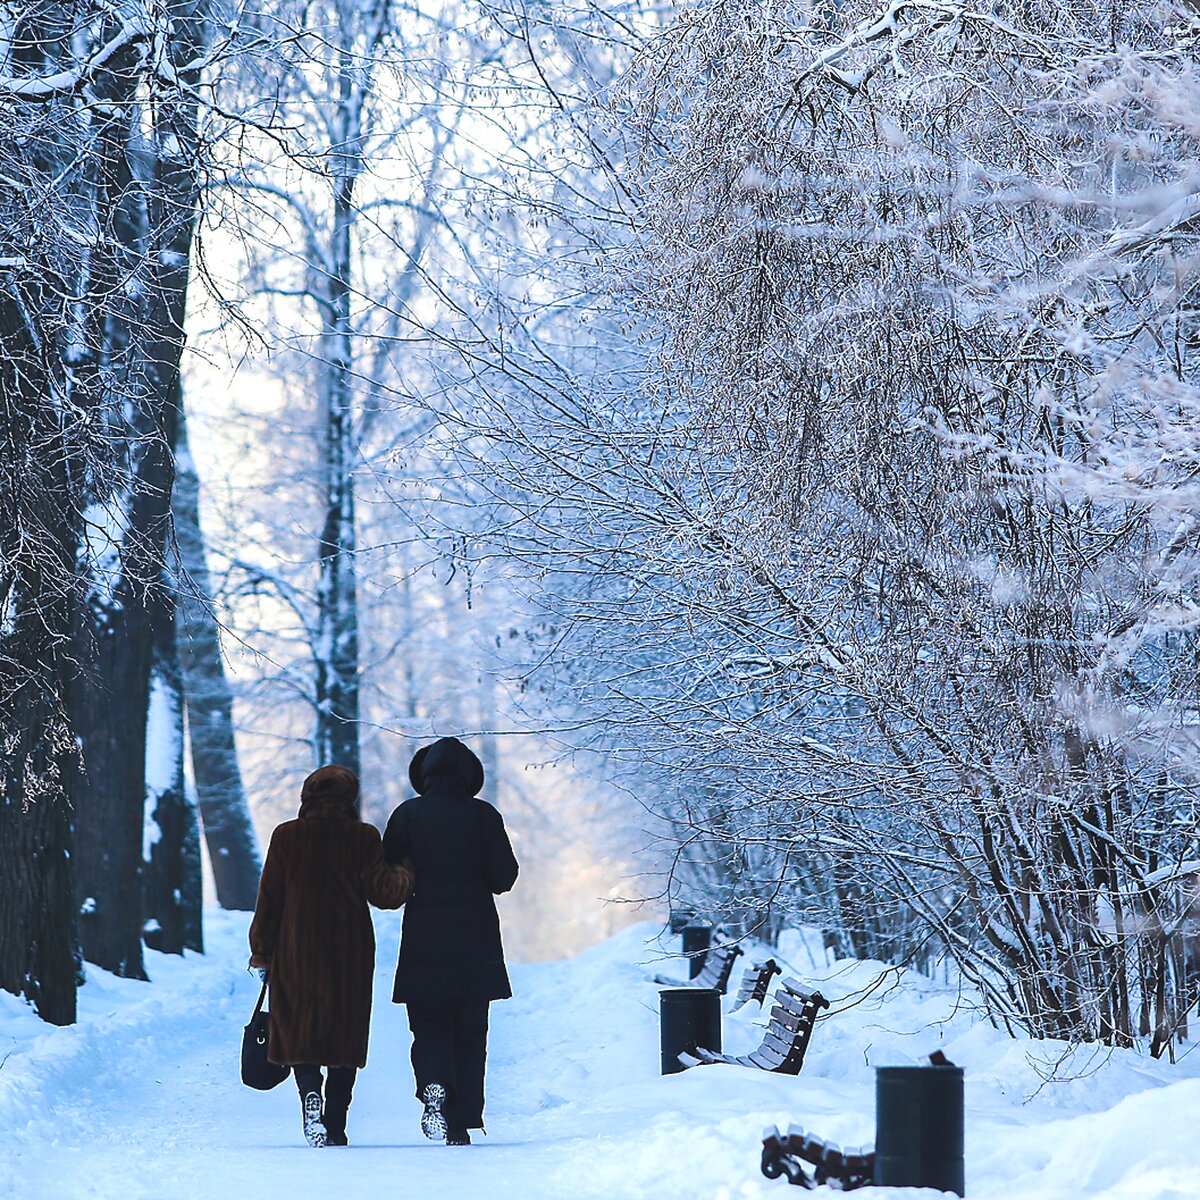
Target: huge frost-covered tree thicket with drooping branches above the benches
<point>820,297</point>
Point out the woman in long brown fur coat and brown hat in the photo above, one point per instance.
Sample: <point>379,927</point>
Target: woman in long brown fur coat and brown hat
<point>314,937</point>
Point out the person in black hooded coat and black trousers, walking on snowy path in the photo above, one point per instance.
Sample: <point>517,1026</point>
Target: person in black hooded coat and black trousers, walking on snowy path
<point>452,961</point>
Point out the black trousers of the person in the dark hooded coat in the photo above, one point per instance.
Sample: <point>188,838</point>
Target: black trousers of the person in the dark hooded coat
<point>451,1048</point>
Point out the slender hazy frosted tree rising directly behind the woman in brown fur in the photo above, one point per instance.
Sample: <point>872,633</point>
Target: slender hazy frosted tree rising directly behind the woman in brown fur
<point>328,207</point>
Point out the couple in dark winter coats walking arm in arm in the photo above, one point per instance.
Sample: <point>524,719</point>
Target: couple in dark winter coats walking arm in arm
<point>445,853</point>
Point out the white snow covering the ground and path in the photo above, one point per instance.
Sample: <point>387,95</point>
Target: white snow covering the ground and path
<point>142,1099</point>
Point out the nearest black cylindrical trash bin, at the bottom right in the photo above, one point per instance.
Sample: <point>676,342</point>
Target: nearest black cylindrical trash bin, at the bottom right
<point>919,1129</point>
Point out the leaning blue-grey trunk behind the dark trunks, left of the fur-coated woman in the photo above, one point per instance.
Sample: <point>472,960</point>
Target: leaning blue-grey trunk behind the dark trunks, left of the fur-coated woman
<point>229,830</point>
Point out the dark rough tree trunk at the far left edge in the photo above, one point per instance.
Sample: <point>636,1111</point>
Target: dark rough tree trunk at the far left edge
<point>39,614</point>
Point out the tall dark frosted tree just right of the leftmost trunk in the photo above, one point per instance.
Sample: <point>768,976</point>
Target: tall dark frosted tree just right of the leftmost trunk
<point>137,189</point>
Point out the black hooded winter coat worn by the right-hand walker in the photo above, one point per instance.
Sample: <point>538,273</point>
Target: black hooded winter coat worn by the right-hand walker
<point>460,854</point>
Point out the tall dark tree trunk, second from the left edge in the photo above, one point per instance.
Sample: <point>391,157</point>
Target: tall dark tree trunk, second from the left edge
<point>153,221</point>
